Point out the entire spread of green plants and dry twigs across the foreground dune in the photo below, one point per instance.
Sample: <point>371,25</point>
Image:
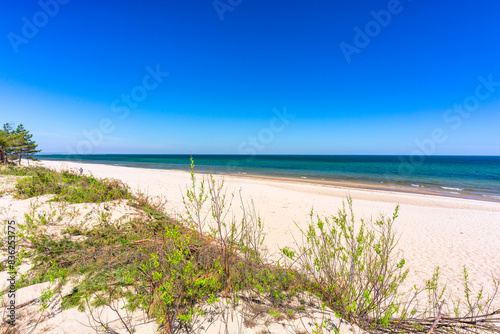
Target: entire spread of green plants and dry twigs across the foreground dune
<point>175,269</point>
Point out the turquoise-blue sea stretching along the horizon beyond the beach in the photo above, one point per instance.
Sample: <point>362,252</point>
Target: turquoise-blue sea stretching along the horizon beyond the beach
<point>457,175</point>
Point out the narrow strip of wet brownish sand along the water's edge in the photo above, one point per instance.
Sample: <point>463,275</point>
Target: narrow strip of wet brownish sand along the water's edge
<point>346,185</point>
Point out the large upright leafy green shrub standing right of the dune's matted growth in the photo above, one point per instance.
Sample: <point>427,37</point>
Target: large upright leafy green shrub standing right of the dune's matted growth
<point>353,267</point>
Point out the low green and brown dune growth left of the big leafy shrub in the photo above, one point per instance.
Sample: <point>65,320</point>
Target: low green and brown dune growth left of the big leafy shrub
<point>155,263</point>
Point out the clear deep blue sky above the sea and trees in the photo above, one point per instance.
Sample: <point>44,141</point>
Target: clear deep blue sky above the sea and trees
<point>347,94</point>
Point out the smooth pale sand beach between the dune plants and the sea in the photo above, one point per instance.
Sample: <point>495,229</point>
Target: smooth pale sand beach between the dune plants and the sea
<point>435,230</point>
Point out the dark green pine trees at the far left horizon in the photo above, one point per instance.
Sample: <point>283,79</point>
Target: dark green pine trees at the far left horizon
<point>16,144</point>
